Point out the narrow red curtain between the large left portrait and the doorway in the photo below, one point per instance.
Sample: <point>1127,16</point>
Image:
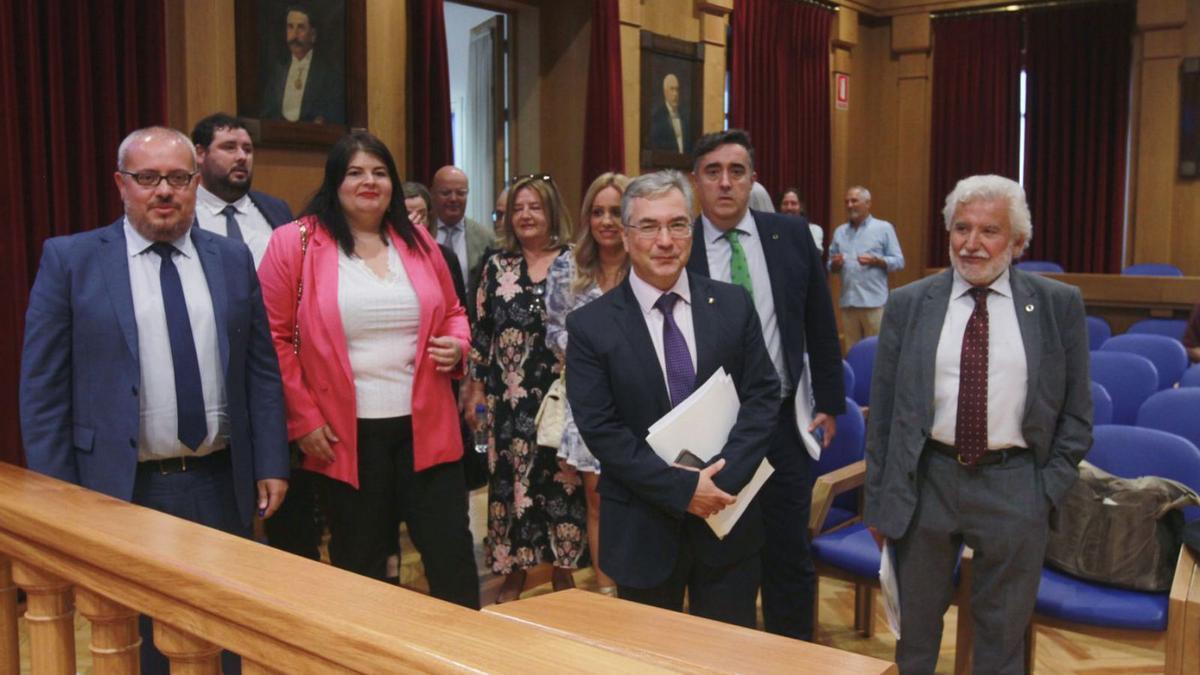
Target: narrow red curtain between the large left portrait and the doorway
<point>430,134</point>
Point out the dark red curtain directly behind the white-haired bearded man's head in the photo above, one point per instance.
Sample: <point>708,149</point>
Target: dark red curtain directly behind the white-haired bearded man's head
<point>976,110</point>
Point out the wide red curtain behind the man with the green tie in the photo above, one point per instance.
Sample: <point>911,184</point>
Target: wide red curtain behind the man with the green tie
<point>781,94</point>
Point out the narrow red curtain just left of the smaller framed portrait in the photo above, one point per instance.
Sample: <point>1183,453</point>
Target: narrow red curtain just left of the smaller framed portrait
<point>604,126</point>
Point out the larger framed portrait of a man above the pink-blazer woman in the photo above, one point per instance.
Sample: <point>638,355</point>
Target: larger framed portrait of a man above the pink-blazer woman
<point>302,70</point>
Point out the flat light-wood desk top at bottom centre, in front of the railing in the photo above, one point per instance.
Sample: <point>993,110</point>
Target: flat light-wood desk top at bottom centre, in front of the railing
<point>679,642</point>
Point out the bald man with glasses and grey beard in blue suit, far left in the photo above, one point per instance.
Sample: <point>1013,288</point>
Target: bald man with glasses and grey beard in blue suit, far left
<point>148,371</point>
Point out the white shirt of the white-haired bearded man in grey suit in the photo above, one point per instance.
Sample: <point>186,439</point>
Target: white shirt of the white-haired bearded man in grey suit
<point>1007,369</point>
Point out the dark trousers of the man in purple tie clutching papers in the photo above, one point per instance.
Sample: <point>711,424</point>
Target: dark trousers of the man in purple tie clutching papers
<point>722,594</point>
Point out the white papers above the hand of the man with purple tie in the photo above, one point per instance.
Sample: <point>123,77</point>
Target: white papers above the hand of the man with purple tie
<point>701,425</point>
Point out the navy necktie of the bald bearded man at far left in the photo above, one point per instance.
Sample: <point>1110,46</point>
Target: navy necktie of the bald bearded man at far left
<point>189,393</point>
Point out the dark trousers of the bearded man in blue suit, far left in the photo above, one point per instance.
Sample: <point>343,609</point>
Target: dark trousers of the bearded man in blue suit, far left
<point>203,495</point>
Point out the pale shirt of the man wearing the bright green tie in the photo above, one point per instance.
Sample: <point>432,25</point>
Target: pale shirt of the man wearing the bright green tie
<point>719,253</point>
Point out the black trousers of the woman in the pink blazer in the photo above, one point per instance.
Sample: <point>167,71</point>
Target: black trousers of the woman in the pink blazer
<point>364,524</point>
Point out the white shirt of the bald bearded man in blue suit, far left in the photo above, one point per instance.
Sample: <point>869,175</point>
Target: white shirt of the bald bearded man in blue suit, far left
<point>158,413</point>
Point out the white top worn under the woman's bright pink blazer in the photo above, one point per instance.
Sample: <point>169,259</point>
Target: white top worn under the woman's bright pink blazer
<point>381,319</point>
